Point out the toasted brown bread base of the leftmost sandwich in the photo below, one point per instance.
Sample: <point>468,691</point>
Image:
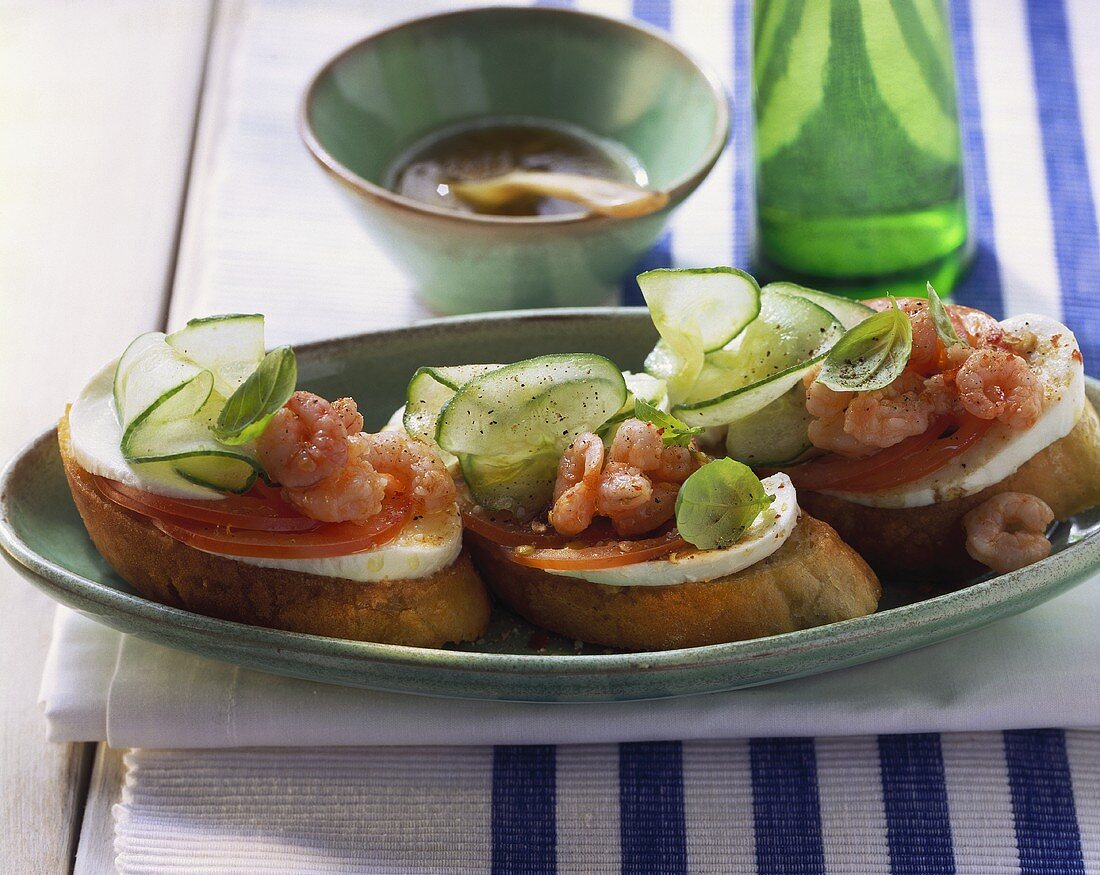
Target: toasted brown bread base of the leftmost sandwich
<point>450,606</point>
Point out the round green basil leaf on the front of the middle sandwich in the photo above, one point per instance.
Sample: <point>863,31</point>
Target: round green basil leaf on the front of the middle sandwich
<point>719,502</point>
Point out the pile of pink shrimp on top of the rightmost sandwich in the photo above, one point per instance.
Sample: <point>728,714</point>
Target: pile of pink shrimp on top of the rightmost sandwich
<point>984,377</point>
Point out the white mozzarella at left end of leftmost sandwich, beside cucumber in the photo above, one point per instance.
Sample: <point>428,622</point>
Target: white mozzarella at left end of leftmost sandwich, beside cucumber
<point>96,436</point>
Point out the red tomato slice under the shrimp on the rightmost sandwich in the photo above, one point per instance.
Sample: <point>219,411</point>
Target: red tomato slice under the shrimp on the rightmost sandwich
<point>905,463</point>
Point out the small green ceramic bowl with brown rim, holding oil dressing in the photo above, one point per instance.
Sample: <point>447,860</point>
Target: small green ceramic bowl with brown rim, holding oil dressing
<point>621,82</point>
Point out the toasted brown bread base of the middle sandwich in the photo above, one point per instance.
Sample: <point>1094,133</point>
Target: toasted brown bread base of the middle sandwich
<point>813,579</point>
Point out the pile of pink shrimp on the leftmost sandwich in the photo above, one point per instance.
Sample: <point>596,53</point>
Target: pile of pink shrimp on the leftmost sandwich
<point>336,473</point>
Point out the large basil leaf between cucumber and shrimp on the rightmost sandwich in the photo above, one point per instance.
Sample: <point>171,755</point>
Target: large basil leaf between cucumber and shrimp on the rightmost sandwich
<point>871,356</point>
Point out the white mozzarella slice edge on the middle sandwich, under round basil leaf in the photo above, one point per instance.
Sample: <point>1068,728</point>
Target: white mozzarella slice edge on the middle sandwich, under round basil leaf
<point>767,534</point>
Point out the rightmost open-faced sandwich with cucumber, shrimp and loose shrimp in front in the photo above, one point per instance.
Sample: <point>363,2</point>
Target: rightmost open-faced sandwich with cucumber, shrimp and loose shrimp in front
<point>932,437</point>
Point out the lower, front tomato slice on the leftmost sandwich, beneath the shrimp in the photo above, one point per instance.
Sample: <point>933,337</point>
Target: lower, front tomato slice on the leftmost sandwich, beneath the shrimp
<point>327,541</point>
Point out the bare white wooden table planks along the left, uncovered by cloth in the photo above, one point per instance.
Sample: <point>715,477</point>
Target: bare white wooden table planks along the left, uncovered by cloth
<point>91,215</point>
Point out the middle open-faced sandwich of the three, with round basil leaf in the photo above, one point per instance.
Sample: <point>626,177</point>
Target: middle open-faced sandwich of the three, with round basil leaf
<point>592,513</point>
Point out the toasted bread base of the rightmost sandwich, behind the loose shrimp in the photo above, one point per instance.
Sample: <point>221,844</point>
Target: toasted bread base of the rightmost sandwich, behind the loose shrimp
<point>907,543</point>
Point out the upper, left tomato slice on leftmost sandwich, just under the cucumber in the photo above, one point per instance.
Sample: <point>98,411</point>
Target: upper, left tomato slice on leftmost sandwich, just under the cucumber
<point>262,509</point>
